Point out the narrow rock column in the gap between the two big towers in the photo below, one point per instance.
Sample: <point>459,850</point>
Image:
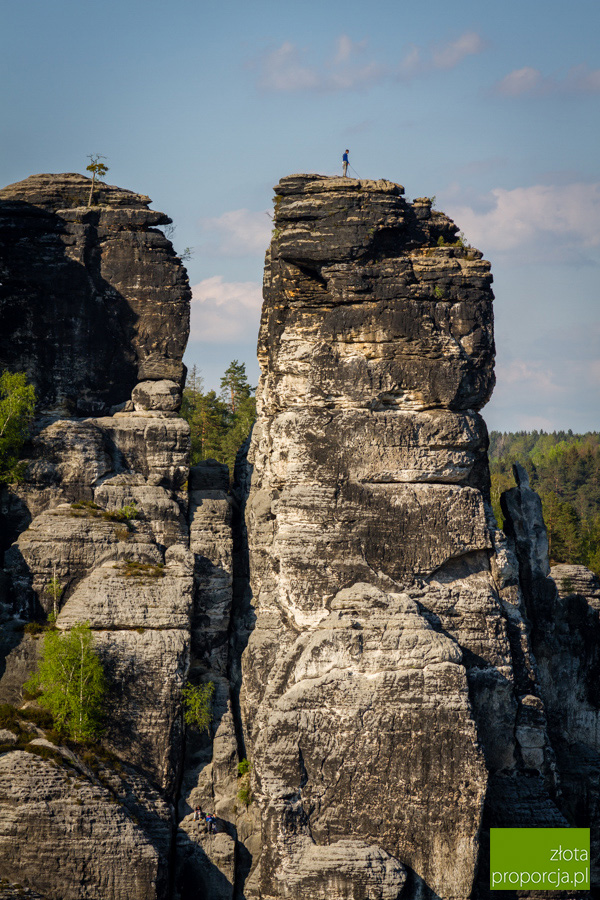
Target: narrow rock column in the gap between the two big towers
<point>208,862</point>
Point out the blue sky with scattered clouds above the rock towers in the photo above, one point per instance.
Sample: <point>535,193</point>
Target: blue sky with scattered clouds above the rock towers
<point>491,107</point>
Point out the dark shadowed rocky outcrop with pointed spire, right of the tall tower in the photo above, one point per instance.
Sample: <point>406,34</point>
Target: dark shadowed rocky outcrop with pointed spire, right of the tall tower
<point>565,636</point>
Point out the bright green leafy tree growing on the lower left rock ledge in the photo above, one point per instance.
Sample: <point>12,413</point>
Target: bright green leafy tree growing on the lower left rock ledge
<point>71,682</point>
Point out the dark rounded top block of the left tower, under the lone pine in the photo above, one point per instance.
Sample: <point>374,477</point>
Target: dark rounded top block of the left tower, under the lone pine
<point>92,299</point>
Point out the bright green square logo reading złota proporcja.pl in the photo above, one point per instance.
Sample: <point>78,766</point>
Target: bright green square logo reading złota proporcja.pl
<point>550,859</point>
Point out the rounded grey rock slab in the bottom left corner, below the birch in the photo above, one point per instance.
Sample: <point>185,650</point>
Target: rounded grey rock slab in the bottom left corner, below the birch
<point>72,836</point>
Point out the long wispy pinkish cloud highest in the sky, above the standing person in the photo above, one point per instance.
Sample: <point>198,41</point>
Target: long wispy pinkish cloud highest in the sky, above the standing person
<point>287,68</point>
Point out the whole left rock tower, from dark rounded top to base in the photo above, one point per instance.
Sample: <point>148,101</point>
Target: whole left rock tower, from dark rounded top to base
<point>97,304</point>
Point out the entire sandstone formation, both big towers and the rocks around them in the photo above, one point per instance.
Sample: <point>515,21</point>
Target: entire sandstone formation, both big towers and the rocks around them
<point>398,674</point>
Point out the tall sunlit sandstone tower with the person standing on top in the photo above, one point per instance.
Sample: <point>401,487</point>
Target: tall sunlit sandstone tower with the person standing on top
<point>387,656</point>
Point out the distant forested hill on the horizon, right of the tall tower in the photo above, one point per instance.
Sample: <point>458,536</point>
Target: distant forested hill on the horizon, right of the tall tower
<point>564,468</point>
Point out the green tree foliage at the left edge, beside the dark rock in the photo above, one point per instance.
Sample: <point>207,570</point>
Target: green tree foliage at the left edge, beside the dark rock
<point>17,403</point>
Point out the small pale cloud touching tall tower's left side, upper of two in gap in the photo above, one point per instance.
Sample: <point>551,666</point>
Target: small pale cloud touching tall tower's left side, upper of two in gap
<point>238,232</point>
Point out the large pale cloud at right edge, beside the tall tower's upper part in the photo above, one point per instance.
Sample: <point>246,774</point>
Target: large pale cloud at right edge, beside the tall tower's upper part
<point>542,222</point>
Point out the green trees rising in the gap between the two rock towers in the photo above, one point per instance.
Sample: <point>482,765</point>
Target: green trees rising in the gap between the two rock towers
<point>219,424</point>
